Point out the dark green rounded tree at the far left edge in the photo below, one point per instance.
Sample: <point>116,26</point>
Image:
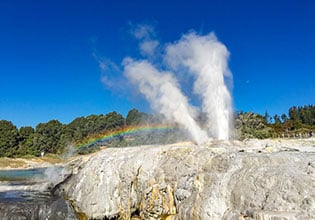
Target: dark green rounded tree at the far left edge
<point>8,139</point>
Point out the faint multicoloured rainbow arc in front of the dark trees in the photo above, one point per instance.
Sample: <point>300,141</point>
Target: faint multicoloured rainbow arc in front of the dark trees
<point>124,131</point>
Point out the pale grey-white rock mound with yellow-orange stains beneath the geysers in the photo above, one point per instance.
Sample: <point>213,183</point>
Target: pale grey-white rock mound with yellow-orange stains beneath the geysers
<point>220,180</point>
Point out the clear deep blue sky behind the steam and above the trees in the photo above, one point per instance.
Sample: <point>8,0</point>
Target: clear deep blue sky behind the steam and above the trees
<point>49,52</point>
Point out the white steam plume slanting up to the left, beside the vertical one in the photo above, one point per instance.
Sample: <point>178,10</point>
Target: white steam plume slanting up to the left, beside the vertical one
<point>162,91</point>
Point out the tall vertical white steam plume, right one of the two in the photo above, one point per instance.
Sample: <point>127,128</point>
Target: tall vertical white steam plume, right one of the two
<point>206,58</point>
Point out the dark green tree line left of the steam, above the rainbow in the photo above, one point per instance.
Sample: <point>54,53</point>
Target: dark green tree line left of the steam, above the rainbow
<point>53,136</point>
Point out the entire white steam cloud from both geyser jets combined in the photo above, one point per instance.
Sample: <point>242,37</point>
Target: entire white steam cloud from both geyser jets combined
<point>201,57</point>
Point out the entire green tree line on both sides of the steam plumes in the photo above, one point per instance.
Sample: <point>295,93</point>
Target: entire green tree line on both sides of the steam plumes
<point>53,136</point>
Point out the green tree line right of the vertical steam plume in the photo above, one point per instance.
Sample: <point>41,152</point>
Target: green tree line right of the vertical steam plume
<point>300,122</point>
